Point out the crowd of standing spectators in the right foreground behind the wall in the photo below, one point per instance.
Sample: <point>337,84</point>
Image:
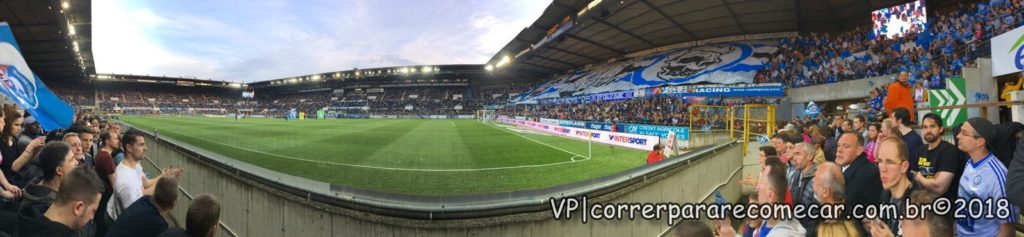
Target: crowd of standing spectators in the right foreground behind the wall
<point>842,163</point>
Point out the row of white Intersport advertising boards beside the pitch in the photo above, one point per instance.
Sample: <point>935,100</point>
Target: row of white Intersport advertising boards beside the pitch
<point>646,143</point>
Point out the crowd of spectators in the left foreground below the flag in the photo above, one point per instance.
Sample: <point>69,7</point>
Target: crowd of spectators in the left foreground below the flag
<point>89,181</point>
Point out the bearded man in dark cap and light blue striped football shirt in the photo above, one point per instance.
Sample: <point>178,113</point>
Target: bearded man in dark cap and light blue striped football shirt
<point>985,178</point>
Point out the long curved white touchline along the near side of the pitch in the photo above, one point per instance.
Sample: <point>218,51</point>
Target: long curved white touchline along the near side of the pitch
<point>572,161</point>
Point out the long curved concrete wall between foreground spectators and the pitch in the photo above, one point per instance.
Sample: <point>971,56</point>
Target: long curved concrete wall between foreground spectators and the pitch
<point>253,210</point>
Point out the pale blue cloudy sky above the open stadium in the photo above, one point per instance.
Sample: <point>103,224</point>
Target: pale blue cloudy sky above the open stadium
<point>254,41</point>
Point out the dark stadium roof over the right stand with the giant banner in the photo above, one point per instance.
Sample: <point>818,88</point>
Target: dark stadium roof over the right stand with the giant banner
<point>613,29</point>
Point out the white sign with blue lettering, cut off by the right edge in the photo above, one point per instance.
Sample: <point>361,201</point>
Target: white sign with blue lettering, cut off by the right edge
<point>1008,53</point>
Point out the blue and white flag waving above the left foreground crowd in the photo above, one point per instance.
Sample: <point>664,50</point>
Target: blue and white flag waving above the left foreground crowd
<point>25,89</point>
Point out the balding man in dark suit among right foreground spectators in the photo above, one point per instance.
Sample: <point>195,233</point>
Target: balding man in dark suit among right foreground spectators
<point>863,183</point>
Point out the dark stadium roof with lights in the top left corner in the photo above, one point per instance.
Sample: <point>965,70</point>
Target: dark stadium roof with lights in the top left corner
<point>48,32</point>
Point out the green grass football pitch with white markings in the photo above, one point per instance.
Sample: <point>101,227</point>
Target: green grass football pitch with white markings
<point>420,157</point>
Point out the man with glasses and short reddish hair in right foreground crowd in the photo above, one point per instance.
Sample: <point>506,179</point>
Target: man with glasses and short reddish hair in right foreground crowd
<point>892,171</point>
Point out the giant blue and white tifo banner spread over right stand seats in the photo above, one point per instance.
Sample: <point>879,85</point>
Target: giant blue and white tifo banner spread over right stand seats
<point>717,64</point>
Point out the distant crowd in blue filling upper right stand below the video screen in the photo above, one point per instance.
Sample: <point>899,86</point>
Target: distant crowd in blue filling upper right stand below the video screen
<point>951,41</point>
